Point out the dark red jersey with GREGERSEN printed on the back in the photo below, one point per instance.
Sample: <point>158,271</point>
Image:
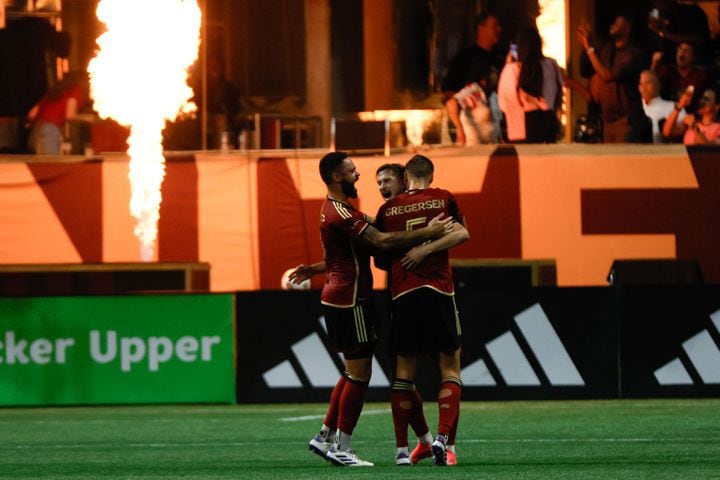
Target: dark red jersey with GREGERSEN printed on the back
<point>410,211</point>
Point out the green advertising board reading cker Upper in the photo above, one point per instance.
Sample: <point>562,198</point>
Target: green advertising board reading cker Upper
<point>117,349</point>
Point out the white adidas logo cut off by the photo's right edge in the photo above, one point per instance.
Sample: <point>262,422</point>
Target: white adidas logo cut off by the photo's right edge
<point>704,356</point>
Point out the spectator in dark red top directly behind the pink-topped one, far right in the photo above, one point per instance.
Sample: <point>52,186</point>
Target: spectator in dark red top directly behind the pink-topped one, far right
<point>675,78</point>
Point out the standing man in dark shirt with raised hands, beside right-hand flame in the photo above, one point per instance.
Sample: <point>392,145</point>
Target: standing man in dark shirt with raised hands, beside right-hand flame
<point>617,67</point>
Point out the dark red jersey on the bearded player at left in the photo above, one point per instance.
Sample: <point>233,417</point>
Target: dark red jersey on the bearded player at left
<point>348,279</point>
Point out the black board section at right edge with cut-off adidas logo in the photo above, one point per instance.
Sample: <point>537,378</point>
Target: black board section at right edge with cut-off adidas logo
<point>669,341</point>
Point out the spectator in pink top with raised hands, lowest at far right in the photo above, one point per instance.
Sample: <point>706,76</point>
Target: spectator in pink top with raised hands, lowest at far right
<point>700,129</point>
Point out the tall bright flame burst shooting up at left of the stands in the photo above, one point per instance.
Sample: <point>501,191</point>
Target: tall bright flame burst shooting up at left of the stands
<point>139,78</point>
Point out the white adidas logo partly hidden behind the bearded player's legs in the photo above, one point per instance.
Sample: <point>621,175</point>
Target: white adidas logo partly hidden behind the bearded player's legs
<point>318,365</point>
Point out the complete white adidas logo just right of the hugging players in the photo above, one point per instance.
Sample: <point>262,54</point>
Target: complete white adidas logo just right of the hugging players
<point>514,366</point>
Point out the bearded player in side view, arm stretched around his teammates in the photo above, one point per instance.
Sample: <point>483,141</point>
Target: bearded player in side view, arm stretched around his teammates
<point>347,238</point>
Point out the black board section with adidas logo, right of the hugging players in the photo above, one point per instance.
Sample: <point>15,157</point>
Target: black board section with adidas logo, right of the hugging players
<point>539,343</point>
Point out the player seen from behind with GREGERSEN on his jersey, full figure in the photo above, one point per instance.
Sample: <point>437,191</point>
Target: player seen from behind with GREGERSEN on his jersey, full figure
<point>425,318</point>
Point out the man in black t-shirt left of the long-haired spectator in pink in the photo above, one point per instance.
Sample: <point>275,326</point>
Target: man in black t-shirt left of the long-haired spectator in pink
<point>471,84</point>
